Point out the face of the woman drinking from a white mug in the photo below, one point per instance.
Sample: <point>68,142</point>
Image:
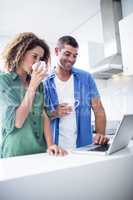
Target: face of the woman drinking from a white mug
<point>32,56</point>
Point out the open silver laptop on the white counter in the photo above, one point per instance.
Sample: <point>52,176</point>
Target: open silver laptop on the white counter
<point>120,140</point>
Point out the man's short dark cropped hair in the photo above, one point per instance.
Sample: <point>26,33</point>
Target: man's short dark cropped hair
<point>67,39</point>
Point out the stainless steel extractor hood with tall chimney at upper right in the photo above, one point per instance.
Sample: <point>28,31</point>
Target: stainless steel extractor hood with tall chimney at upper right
<point>111,13</point>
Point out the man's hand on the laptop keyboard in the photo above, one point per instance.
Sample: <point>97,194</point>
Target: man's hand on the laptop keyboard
<point>100,139</point>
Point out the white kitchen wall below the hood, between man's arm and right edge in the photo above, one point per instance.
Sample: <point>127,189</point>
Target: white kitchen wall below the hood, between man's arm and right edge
<point>117,96</point>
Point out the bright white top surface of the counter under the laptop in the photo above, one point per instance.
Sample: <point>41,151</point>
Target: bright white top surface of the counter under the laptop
<point>16,167</point>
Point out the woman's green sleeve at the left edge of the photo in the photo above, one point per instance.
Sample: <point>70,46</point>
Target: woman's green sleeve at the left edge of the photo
<point>8,105</point>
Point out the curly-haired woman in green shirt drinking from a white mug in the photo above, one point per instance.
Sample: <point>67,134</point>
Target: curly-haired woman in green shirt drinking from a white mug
<point>23,129</point>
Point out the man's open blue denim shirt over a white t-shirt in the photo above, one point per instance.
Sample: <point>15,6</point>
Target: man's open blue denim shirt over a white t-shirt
<point>84,91</point>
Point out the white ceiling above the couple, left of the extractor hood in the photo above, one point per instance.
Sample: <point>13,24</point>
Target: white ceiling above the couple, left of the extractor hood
<point>52,18</point>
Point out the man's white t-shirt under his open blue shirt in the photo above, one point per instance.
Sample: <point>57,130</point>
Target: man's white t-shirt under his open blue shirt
<point>67,125</point>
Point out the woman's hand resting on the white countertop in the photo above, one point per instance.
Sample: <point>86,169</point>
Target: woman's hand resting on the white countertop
<point>55,150</point>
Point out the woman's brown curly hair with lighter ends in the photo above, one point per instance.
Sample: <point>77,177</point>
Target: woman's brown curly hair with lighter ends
<point>17,48</point>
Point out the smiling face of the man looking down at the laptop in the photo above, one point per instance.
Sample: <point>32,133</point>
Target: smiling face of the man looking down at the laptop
<point>66,56</point>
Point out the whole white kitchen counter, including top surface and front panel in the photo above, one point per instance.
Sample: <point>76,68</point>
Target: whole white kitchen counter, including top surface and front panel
<point>74,176</point>
